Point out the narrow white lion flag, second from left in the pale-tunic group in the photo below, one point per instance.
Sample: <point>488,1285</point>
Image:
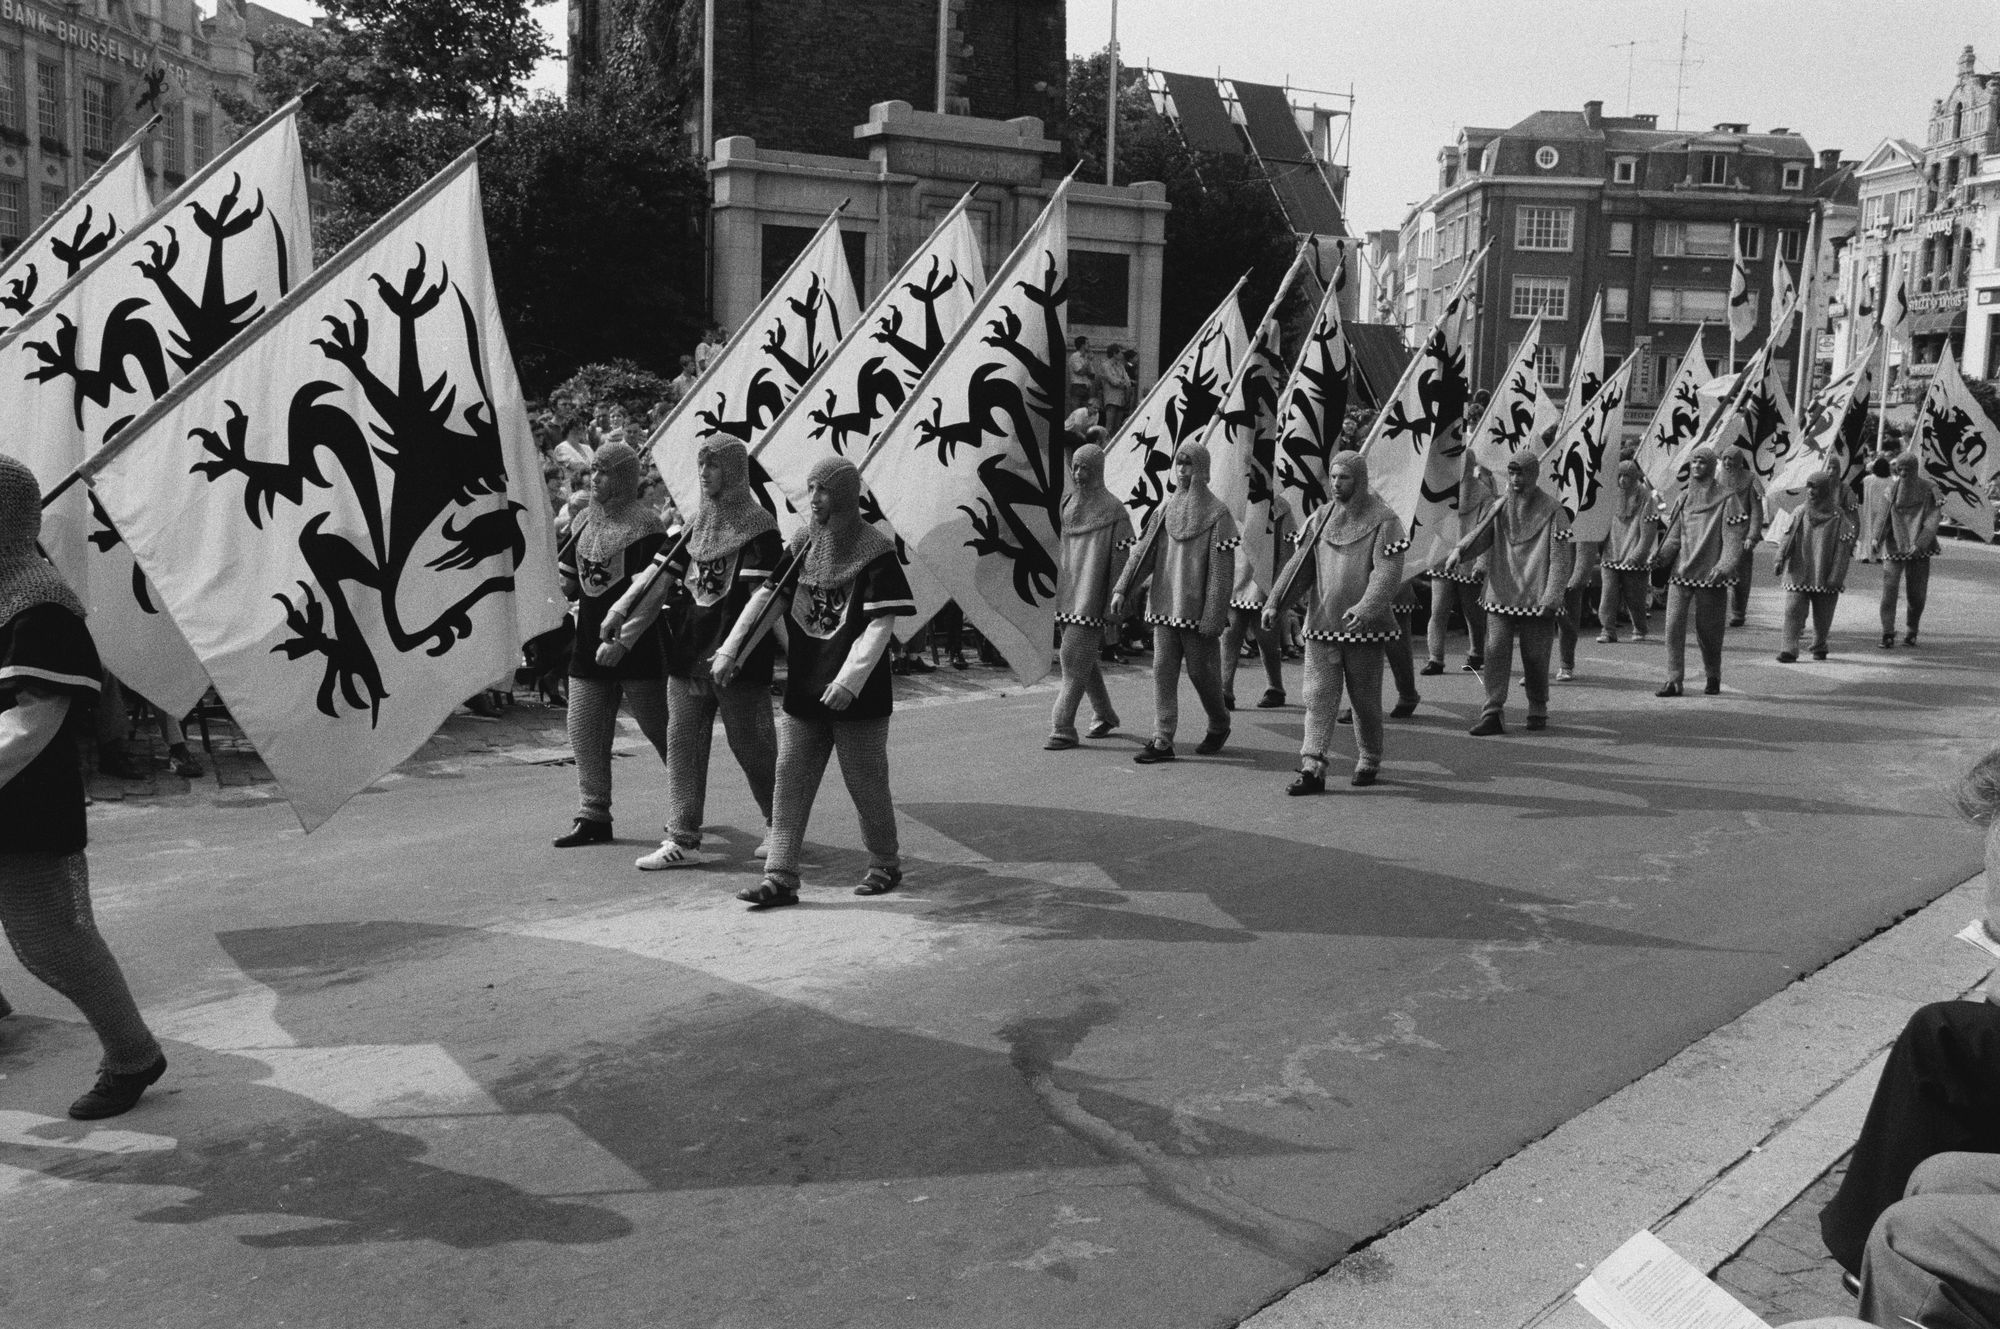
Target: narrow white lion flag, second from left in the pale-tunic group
<point>1243,447</point>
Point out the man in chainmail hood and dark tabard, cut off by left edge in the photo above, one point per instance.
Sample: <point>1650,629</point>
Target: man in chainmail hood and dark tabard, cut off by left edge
<point>47,668</point>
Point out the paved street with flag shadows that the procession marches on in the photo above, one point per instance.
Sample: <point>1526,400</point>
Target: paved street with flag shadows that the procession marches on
<point>1135,1046</point>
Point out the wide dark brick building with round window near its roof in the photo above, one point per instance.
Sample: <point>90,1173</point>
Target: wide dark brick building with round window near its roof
<point>1583,205</point>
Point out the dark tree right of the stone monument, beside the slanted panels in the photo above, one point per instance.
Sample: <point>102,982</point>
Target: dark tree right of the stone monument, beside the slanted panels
<point>1225,217</point>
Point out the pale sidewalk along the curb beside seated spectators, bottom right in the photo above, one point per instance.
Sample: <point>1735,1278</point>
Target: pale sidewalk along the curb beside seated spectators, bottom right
<point>1727,1154</point>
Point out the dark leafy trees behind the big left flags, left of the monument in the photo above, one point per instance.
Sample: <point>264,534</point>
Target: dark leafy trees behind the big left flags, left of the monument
<point>591,209</point>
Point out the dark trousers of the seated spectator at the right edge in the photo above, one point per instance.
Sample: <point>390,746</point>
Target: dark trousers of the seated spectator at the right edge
<point>1939,1094</point>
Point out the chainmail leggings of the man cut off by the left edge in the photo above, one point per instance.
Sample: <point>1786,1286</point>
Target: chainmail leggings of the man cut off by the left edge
<point>45,908</point>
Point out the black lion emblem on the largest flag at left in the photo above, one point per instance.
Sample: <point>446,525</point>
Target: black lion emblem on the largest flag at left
<point>421,467</point>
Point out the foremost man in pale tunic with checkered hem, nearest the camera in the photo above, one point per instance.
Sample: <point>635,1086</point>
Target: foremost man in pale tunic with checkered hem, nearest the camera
<point>1349,565</point>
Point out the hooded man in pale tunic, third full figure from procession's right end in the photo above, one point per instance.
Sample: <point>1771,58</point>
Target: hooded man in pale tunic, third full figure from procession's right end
<point>1707,539</point>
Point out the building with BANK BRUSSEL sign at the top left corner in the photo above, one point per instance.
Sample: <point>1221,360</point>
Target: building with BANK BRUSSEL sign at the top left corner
<point>79,77</point>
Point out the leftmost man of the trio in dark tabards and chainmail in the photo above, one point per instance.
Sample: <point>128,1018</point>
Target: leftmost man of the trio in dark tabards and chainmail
<point>613,539</point>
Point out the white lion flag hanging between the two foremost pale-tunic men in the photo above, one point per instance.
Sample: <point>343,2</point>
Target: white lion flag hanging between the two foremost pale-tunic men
<point>1417,445</point>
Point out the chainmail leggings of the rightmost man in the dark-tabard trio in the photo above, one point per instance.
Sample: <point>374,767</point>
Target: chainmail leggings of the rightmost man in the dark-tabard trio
<point>803,754</point>
